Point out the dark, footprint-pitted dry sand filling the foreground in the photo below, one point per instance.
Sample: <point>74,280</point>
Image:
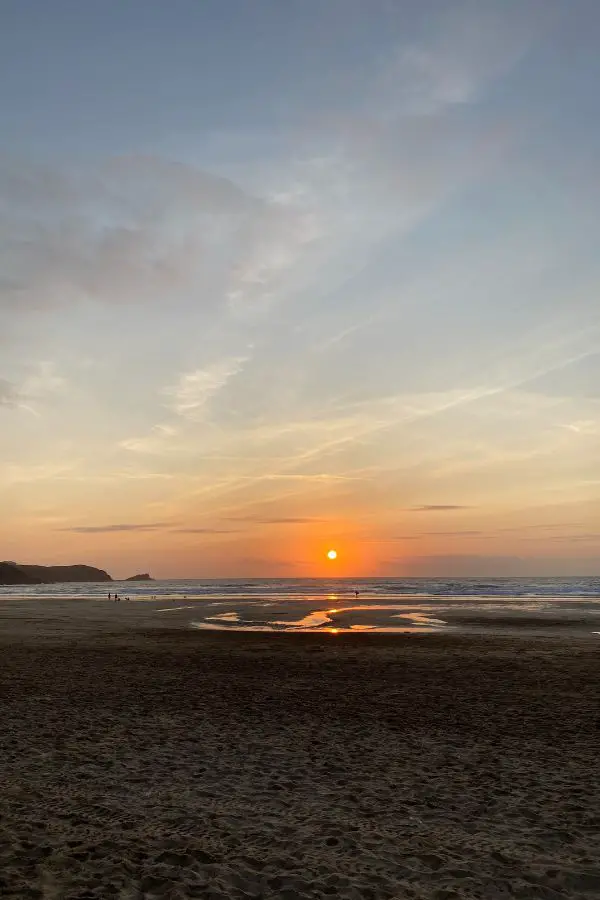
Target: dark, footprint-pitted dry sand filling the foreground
<point>172,763</point>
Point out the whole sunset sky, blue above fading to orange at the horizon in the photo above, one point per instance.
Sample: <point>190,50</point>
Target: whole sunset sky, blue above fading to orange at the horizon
<point>277,278</point>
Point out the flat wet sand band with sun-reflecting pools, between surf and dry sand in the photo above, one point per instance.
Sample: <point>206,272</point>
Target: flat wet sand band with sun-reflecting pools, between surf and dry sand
<point>75,616</point>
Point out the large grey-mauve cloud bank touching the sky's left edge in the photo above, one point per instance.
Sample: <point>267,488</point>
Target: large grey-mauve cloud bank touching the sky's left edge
<point>60,254</point>
